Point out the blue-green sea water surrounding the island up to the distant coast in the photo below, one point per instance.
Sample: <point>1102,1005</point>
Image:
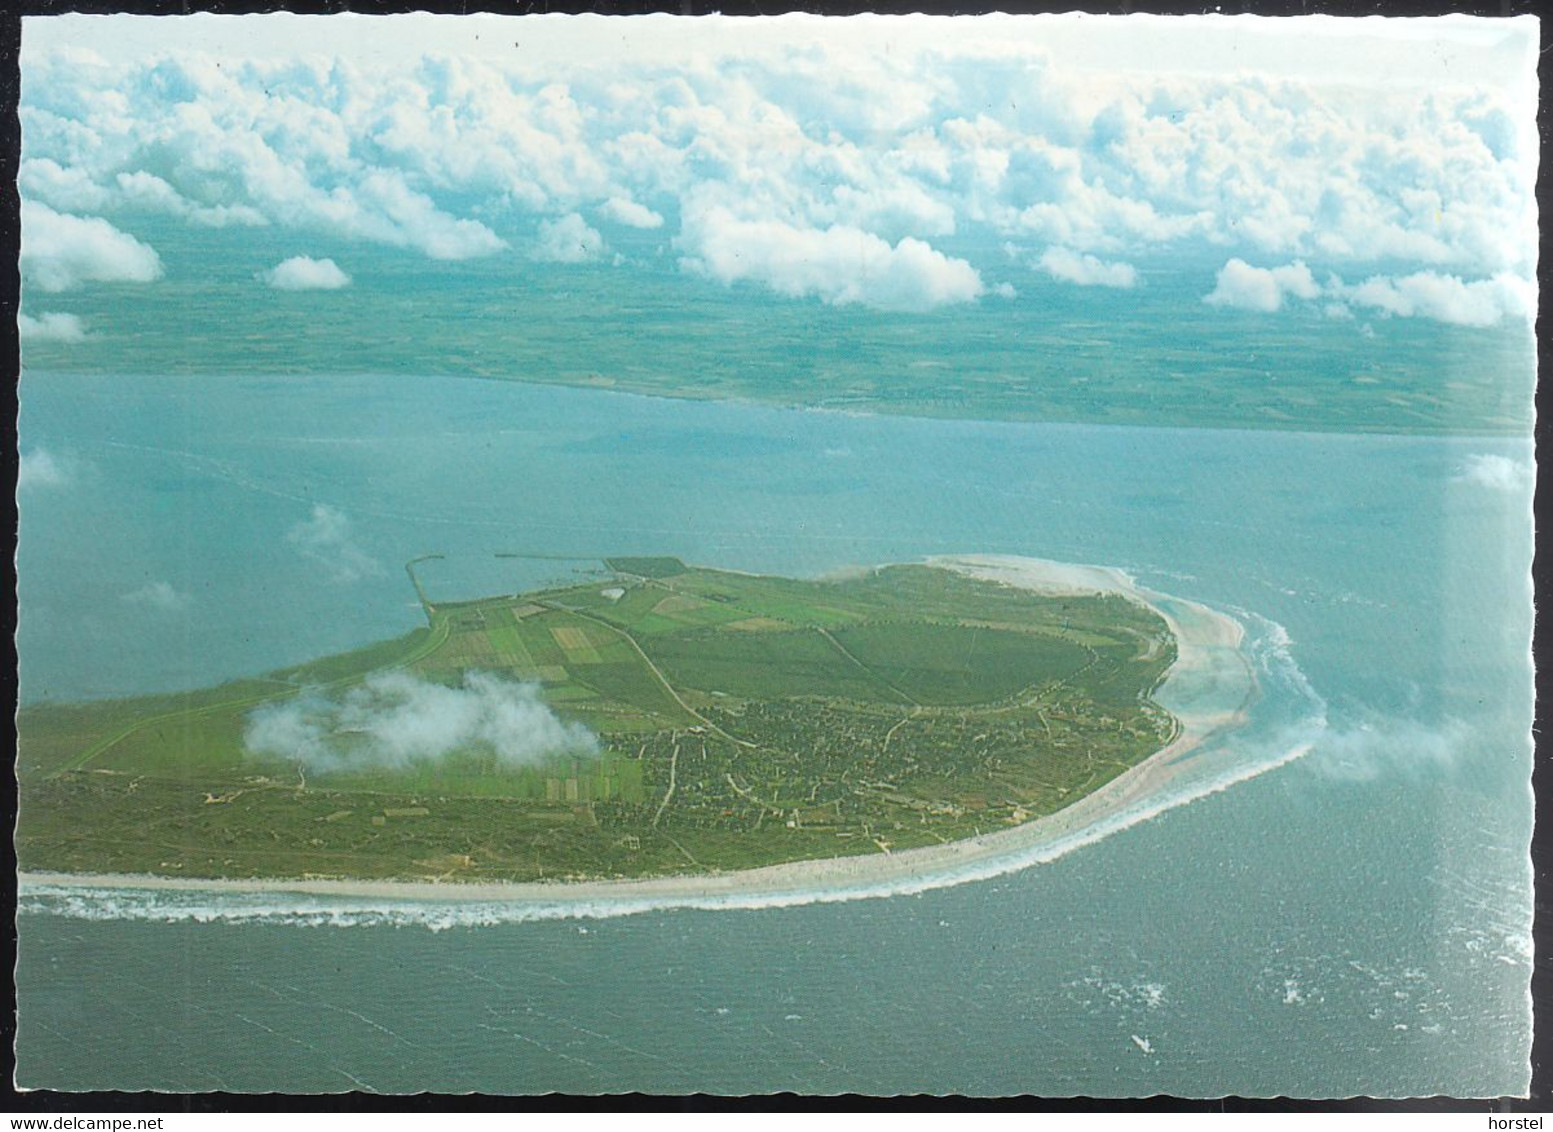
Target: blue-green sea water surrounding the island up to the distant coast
<point>1355,920</point>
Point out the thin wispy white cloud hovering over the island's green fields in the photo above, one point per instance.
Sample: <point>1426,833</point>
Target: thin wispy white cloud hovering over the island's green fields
<point>398,721</point>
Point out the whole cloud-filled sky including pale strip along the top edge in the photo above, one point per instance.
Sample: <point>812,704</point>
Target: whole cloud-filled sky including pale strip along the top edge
<point>1363,168</point>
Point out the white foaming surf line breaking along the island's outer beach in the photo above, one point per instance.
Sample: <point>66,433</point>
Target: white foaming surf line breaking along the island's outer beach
<point>1288,720</point>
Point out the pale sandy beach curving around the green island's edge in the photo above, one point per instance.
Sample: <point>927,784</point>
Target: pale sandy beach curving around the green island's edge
<point>1209,690</point>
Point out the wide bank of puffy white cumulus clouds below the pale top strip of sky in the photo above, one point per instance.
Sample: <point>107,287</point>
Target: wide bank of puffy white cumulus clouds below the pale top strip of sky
<point>959,137</point>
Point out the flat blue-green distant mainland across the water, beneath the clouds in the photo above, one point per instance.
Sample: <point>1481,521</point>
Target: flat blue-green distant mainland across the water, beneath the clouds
<point>1150,356</point>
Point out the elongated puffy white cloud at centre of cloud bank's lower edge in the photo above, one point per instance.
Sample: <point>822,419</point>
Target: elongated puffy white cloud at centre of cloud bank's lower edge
<point>838,265</point>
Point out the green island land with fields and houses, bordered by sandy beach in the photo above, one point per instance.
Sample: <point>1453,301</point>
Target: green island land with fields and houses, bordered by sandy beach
<point>740,721</point>
